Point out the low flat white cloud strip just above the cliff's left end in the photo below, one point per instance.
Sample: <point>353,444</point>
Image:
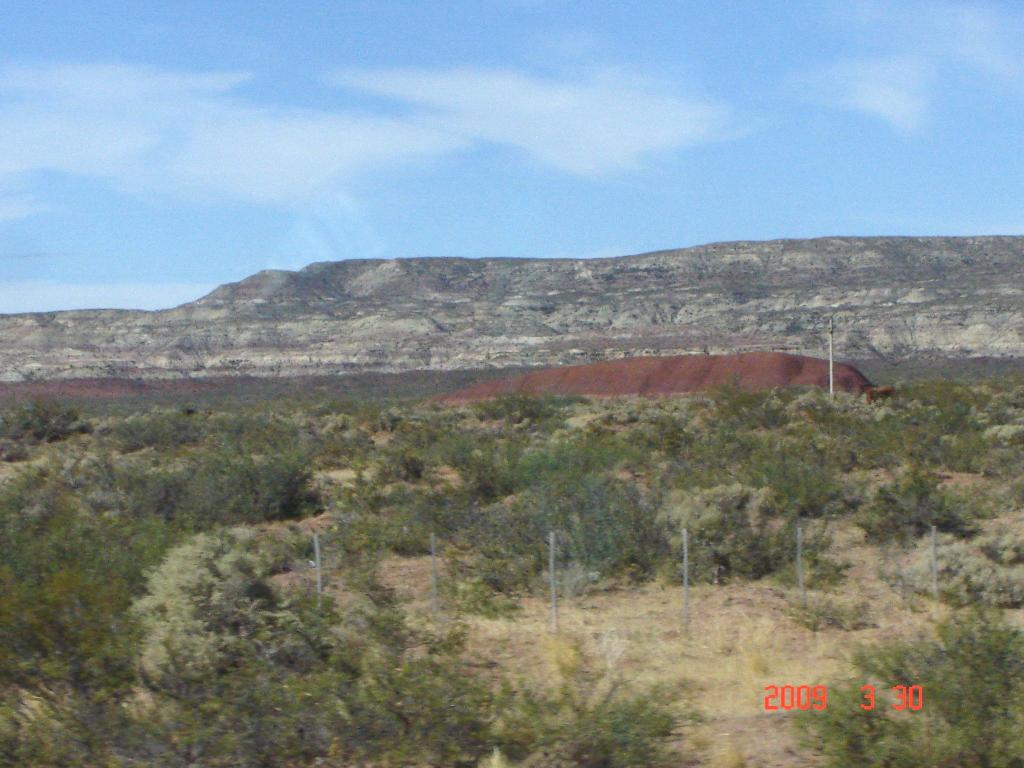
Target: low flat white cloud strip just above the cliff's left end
<point>45,296</point>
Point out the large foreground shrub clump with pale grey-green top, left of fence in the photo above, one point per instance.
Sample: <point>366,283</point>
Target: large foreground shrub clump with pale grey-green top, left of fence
<point>242,673</point>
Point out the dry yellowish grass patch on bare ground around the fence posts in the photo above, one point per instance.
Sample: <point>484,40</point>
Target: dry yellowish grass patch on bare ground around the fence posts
<point>741,639</point>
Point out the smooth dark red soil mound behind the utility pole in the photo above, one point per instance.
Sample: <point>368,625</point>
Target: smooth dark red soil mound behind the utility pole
<point>659,376</point>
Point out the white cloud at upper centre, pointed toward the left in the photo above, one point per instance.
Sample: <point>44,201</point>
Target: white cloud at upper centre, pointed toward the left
<point>607,122</point>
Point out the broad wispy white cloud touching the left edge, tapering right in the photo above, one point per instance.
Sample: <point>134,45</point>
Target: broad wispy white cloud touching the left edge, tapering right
<point>146,131</point>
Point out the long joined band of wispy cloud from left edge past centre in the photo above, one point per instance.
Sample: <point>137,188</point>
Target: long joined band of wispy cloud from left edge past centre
<point>197,137</point>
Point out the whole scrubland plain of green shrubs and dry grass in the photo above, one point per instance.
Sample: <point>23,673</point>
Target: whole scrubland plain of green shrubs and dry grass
<point>157,604</point>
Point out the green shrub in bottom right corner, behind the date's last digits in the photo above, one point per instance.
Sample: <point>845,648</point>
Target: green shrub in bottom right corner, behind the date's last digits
<point>973,679</point>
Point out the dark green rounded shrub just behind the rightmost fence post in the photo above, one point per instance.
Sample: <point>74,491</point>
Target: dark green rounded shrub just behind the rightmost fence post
<point>907,508</point>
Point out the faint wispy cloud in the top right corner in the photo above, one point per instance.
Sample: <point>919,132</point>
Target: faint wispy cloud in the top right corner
<point>917,48</point>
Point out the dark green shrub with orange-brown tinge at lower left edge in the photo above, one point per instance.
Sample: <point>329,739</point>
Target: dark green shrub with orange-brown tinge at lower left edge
<point>67,642</point>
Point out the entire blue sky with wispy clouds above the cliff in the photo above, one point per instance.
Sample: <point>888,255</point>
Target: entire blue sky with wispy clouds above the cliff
<point>151,151</point>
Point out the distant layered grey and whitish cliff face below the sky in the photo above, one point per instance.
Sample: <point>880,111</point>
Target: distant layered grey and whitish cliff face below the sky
<point>893,297</point>
